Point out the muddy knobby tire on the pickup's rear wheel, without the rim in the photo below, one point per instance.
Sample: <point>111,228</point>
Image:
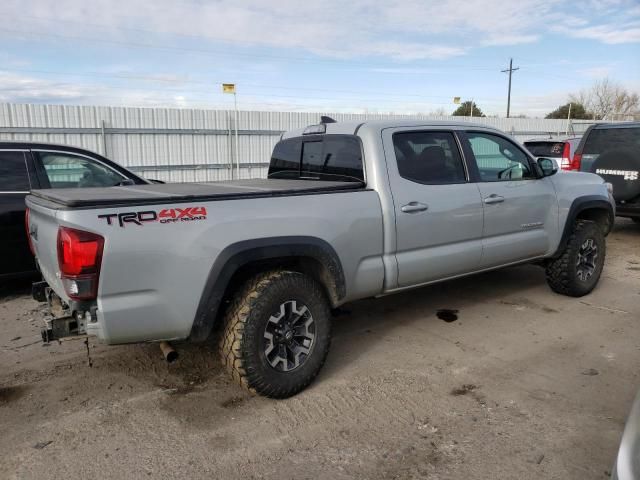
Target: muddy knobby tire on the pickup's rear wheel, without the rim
<point>242,343</point>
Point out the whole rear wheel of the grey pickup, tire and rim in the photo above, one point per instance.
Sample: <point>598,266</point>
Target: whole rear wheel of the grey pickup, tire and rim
<point>277,333</point>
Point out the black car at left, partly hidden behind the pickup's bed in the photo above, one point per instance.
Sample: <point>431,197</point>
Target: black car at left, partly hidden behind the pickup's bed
<point>26,166</point>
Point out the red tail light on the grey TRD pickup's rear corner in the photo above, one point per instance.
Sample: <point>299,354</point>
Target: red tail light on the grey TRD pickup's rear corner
<point>79,259</point>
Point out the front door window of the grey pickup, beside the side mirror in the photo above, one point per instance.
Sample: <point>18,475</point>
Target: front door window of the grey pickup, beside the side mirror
<point>498,159</point>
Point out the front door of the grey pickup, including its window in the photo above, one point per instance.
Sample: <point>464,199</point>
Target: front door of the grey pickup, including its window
<point>520,209</point>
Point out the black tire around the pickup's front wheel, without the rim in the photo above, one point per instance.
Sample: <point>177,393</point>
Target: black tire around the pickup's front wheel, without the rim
<point>562,275</point>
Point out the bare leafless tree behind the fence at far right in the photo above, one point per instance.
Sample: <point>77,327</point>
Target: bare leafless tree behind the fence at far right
<point>607,100</point>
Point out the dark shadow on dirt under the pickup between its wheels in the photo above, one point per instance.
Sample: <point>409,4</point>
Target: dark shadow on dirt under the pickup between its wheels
<point>370,321</point>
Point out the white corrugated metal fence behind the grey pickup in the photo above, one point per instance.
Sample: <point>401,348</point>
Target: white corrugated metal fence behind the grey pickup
<point>187,145</point>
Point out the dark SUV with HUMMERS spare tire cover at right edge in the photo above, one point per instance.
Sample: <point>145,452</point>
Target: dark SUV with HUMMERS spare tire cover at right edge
<point>612,150</point>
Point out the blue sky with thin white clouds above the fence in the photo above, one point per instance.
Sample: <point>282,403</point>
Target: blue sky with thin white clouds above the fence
<point>408,56</point>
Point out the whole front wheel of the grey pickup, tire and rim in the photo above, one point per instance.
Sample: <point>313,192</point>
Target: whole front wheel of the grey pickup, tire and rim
<point>577,271</point>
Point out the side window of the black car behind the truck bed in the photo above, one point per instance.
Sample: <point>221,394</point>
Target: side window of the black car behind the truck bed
<point>67,170</point>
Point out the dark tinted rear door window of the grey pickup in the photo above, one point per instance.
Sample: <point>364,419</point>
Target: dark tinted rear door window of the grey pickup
<point>430,158</point>
